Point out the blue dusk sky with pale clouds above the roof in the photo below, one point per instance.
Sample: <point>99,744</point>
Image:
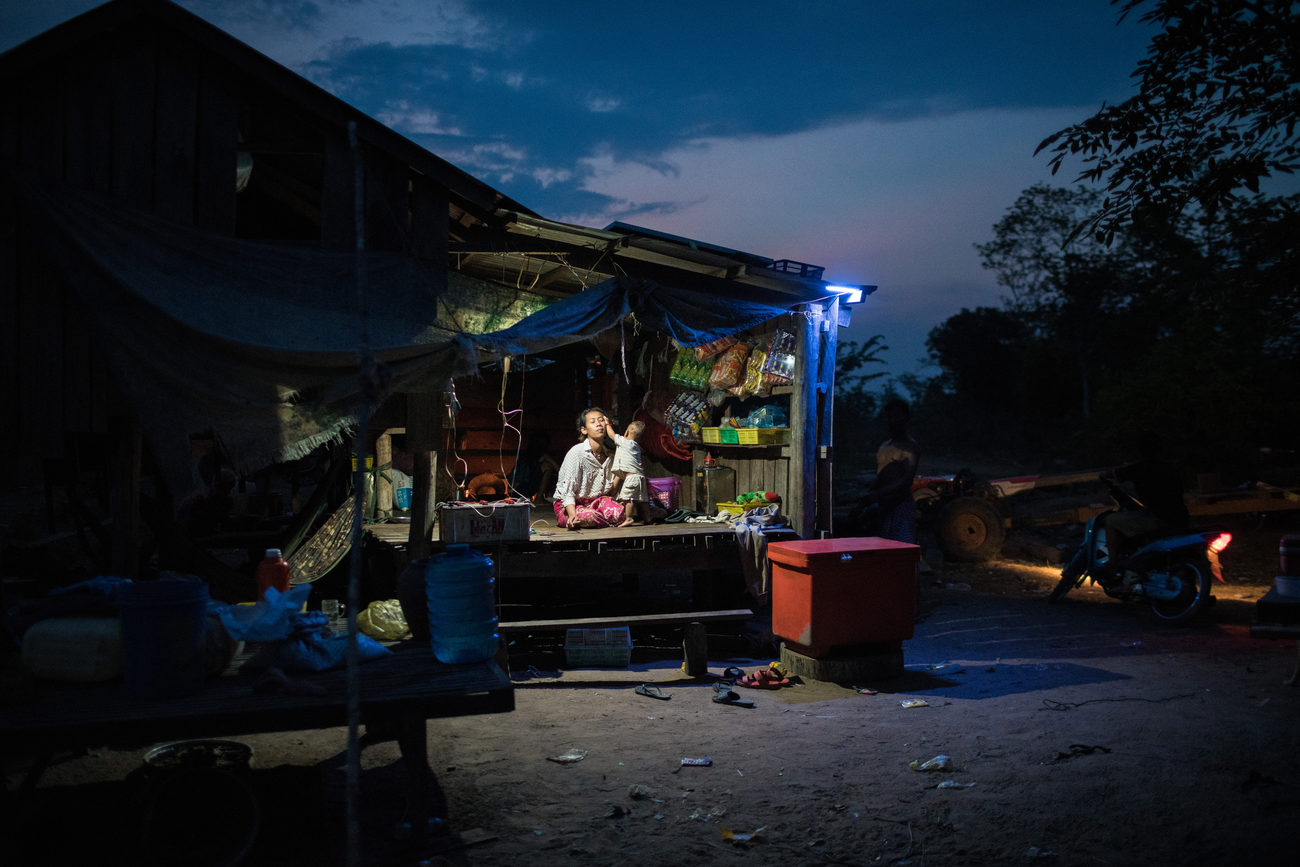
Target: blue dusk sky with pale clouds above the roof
<point>881,140</point>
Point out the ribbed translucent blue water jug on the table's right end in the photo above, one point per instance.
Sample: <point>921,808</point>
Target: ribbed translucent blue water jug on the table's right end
<point>462,606</point>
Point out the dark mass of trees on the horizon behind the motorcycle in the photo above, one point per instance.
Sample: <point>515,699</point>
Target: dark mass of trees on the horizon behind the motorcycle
<point>1186,326</point>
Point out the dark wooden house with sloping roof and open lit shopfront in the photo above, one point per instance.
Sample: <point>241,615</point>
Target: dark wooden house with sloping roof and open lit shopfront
<point>198,245</point>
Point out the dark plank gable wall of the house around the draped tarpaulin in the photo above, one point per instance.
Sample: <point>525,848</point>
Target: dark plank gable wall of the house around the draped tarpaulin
<point>153,120</point>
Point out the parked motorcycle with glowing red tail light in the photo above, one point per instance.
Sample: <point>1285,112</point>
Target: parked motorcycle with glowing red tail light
<point>1173,573</point>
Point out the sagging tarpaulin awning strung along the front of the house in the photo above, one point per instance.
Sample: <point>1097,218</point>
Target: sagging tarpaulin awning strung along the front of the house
<point>263,343</point>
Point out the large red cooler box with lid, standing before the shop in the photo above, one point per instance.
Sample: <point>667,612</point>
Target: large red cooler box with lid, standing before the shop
<point>837,593</point>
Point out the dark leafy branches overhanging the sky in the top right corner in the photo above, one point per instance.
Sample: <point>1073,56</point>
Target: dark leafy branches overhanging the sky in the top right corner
<point>1216,112</point>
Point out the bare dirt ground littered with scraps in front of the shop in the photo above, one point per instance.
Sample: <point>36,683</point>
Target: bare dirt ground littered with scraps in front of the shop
<point>1080,734</point>
